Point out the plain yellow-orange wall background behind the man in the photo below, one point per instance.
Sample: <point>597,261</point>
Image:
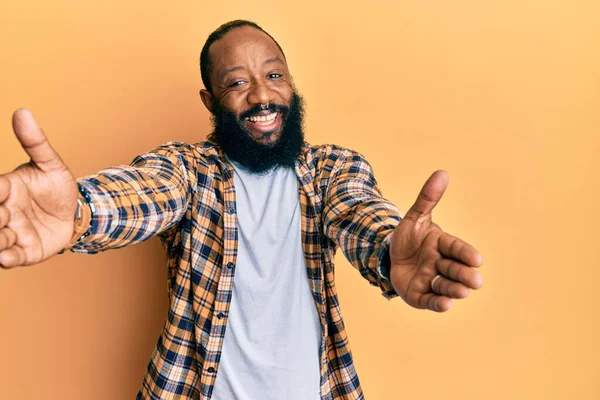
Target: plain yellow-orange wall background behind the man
<point>504,95</point>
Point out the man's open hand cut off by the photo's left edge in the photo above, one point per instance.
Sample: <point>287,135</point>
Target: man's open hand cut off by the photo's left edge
<point>37,200</point>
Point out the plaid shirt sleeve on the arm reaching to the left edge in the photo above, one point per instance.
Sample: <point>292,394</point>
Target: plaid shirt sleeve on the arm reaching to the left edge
<point>132,203</point>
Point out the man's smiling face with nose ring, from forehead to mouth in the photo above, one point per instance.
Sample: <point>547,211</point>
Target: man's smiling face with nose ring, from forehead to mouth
<point>248,70</point>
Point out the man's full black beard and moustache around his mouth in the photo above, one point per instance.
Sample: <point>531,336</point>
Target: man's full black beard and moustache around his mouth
<point>231,135</point>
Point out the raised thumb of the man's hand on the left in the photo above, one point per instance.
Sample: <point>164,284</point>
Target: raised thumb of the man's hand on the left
<point>34,141</point>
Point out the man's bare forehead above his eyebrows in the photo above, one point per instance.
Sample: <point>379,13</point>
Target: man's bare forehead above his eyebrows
<point>245,46</point>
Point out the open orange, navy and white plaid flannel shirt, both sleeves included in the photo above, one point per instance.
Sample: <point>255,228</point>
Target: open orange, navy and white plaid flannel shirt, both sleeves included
<point>184,193</point>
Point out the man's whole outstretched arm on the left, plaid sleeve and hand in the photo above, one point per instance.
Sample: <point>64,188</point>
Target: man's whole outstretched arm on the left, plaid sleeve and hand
<point>38,200</point>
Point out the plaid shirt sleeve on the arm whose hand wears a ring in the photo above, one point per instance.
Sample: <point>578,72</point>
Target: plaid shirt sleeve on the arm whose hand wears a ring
<point>360,220</point>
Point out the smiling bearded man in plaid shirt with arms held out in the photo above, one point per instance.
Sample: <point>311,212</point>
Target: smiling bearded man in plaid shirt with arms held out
<point>250,220</point>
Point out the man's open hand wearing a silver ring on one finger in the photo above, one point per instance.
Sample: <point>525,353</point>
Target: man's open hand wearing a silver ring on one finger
<point>429,267</point>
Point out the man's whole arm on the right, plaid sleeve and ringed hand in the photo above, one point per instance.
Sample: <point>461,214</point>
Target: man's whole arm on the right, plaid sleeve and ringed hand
<point>411,256</point>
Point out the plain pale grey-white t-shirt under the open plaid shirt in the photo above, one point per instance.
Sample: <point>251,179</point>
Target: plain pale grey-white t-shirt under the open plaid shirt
<point>273,334</point>
